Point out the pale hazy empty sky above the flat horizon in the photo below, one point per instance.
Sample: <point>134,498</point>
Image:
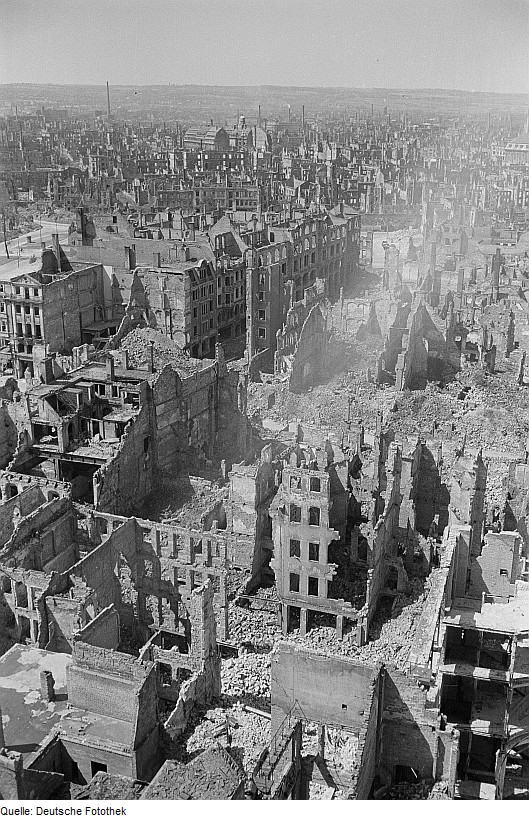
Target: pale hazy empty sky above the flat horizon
<point>477,45</point>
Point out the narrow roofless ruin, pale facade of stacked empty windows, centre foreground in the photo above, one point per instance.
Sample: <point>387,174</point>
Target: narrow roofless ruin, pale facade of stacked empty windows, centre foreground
<point>335,551</point>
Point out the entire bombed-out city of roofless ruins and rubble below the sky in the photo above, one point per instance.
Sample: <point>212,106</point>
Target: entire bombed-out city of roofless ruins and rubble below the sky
<point>264,443</point>
